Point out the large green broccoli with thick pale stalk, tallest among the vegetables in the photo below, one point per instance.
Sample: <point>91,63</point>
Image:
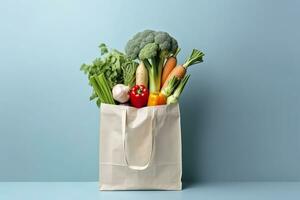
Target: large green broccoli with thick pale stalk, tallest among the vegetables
<point>152,48</point>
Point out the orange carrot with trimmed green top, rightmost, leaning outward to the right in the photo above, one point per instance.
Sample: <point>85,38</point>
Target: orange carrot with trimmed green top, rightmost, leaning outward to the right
<point>180,70</point>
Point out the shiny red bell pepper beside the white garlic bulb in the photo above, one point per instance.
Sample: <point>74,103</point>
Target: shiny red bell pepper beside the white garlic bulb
<point>139,96</point>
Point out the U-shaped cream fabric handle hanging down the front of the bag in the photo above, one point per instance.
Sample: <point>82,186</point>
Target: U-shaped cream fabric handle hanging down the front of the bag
<point>124,139</point>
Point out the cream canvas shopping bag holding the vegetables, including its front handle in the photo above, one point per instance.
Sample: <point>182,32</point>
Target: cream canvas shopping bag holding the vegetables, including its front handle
<point>140,149</point>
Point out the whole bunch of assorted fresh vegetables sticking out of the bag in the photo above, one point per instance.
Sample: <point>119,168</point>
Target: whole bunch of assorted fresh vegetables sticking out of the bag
<point>147,73</point>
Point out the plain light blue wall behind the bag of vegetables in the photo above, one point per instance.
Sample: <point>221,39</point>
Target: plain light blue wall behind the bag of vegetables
<point>240,111</point>
